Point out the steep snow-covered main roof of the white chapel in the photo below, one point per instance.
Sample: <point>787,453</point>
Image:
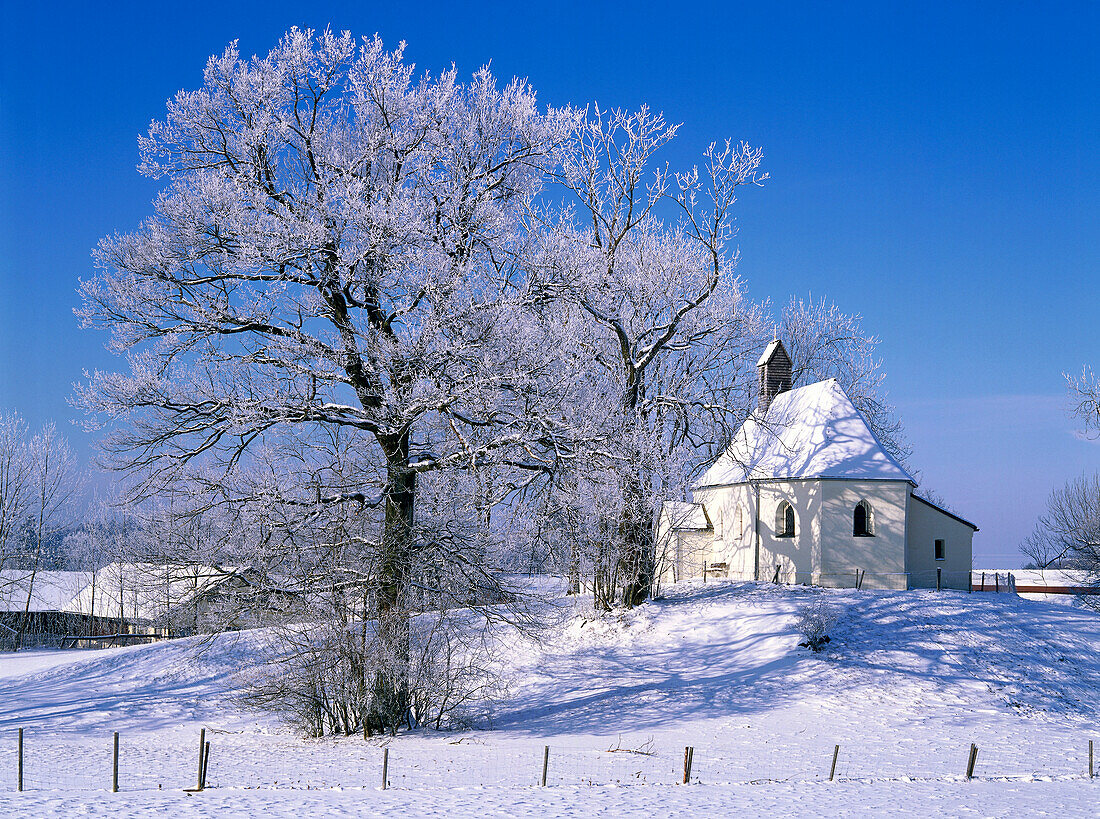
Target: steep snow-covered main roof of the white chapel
<point>810,433</point>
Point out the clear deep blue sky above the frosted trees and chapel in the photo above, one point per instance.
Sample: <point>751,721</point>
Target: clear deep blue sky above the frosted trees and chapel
<point>934,169</point>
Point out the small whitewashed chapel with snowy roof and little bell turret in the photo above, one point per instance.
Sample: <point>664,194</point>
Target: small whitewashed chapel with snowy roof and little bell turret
<point>807,494</point>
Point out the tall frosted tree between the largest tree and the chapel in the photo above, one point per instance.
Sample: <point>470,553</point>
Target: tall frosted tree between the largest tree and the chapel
<point>646,278</point>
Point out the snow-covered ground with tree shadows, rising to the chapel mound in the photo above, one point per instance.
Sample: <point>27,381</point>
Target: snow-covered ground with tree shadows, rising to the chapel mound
<point>909,682</point>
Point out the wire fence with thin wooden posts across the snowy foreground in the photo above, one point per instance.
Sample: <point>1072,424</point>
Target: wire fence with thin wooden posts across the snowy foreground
<point>52,763</point>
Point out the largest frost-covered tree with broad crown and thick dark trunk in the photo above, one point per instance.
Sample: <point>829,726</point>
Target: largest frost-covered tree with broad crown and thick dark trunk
<point>339,246</point>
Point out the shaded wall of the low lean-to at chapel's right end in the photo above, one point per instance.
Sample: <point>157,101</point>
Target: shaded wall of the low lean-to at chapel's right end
<point>926,526</point>
